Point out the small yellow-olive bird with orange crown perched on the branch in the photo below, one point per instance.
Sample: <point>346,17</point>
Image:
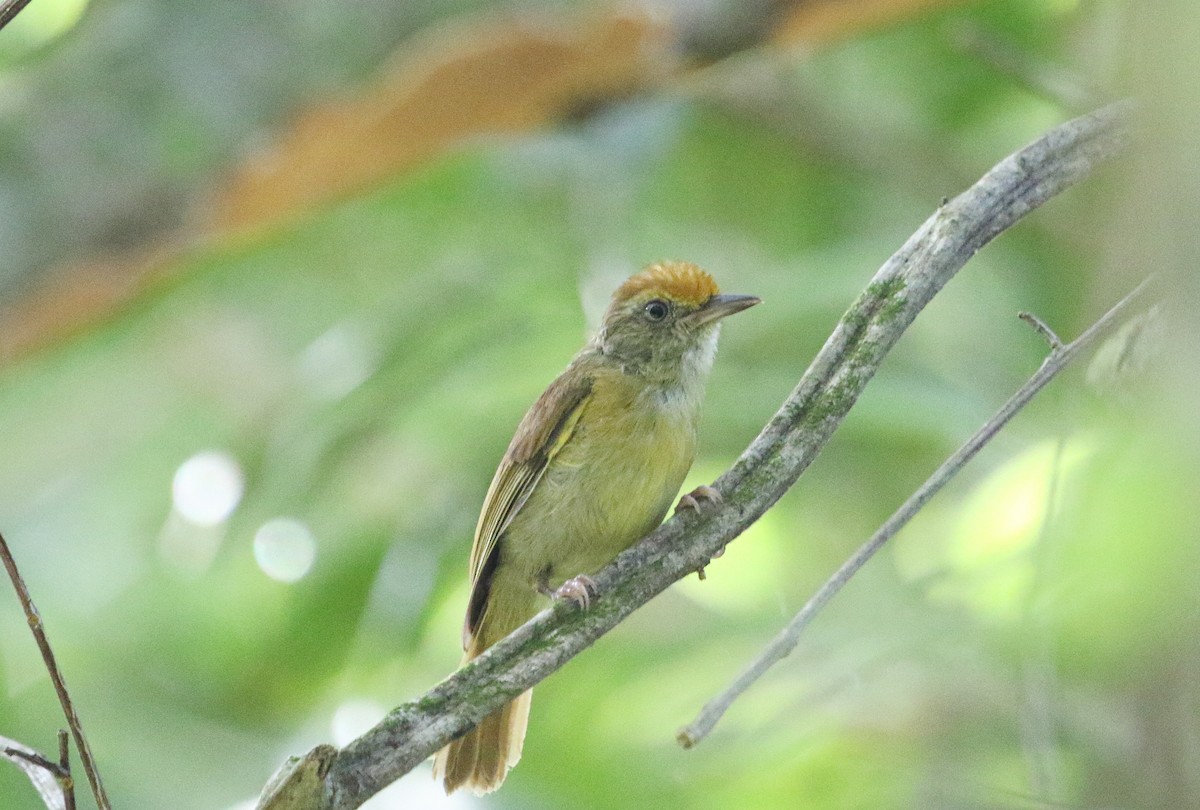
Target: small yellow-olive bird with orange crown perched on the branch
<point>595,466</point>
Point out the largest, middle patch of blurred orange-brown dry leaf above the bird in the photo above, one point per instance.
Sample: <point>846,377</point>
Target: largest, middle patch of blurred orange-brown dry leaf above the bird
<point>485,75</point>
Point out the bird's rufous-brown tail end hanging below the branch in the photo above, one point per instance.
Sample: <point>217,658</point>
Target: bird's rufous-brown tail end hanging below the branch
<point>481,759</point>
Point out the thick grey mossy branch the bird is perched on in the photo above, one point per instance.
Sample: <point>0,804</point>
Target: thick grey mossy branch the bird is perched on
<point>413,733</point>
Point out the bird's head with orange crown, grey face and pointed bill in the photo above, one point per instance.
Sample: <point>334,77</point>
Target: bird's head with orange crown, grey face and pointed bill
<point>664,322</point>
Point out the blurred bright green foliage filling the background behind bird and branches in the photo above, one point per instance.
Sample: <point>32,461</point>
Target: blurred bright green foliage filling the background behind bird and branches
<point>1029,643</point>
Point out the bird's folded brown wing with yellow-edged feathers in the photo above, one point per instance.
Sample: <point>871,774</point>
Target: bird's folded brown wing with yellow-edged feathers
<point>544,431</point>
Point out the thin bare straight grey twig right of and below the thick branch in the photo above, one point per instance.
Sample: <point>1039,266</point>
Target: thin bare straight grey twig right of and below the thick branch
<point>787,641</point>
